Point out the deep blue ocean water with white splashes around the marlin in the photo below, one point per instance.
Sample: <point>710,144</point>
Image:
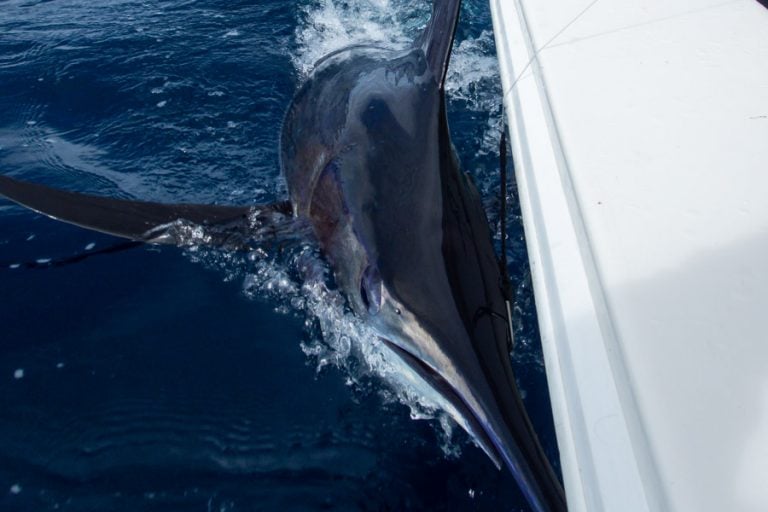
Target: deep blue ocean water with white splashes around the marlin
<point>155,378</point>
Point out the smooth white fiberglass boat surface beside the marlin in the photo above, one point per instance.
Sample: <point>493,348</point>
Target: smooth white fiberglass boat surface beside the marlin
<point>658,115</point>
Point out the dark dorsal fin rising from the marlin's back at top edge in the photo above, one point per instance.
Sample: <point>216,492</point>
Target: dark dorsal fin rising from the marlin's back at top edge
<point>437,39</point>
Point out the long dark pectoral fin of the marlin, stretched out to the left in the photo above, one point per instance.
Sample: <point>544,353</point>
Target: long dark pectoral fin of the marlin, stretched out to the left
<point>234,227</point>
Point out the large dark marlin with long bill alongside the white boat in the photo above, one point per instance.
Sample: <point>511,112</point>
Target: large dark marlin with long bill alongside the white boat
<point>367,156</point>
